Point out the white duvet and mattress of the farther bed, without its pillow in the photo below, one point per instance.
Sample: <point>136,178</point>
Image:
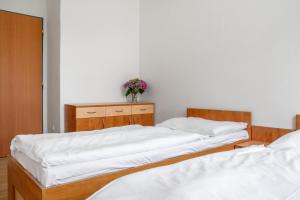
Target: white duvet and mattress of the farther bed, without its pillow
<point>62,158</point>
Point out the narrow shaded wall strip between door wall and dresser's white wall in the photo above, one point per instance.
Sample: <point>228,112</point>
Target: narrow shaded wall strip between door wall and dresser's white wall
<point>53,21</point>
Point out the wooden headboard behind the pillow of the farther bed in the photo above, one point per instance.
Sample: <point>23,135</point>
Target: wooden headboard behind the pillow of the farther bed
<point>222,115</point>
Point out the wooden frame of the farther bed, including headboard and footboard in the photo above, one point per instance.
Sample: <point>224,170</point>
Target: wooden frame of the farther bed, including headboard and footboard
<point>21,184</point>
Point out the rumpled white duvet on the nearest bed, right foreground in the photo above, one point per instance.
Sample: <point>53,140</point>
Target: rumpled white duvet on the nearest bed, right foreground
<point>254,173</point>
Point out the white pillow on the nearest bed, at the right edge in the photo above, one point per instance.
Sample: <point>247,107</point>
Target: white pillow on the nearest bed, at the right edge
<point>291,140</point>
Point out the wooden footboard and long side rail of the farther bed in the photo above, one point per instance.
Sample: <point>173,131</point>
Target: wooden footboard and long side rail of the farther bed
<point>84,188</point>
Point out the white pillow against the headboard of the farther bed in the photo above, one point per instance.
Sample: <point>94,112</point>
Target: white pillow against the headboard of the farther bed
<point>203,126</point>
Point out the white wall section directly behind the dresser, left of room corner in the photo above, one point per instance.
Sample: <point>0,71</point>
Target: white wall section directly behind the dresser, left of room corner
<point>99,49</point>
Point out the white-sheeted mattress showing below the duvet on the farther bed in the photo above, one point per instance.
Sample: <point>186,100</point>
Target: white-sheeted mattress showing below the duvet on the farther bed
<point>62,174</point>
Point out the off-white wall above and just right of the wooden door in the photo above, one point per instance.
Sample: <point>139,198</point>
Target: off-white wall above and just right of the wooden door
<point>35,8</point>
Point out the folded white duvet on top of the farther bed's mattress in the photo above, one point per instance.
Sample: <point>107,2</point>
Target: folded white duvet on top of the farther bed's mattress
<point>62,149</point>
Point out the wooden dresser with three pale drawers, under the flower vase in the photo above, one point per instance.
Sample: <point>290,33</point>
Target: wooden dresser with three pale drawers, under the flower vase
<point>85,117</point>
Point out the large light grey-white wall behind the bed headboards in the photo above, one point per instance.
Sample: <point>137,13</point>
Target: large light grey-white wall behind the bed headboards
<point>240,55</point>
